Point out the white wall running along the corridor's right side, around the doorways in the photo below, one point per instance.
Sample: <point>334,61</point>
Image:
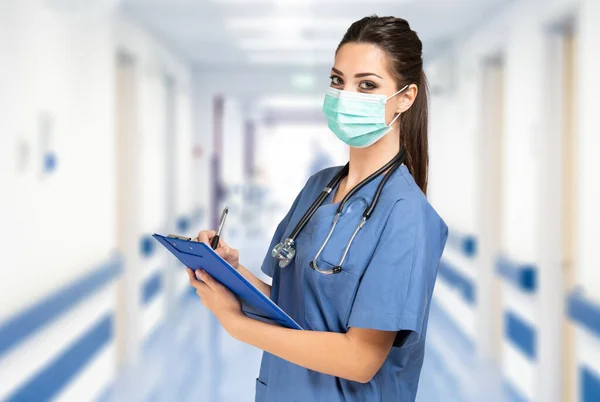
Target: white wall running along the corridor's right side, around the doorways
<point>520,33</point>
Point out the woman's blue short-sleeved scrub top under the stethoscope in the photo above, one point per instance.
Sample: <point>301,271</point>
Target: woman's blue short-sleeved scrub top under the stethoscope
<point>386,284</point>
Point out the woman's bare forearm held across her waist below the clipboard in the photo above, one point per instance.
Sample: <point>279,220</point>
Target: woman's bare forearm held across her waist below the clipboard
<point>336,354</point>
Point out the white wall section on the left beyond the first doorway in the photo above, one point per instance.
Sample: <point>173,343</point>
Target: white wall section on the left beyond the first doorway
<point>154,63</point>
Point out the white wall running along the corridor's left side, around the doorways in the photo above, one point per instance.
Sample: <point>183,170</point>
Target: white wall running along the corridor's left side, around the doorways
<point>57,227</point>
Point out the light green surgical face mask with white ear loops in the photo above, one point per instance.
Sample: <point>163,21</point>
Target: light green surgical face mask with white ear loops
<point>356,118</point>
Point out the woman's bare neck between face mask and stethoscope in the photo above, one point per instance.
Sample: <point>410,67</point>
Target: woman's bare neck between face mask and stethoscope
<point>365,161</point>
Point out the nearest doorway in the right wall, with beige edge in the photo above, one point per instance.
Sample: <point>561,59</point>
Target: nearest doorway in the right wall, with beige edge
<point>557,216</point>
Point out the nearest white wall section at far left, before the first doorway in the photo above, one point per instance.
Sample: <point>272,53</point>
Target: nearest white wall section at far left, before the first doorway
<point>54,226</point>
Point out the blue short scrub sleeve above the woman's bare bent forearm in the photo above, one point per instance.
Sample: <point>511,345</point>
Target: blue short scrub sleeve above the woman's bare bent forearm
<point>397,285</point>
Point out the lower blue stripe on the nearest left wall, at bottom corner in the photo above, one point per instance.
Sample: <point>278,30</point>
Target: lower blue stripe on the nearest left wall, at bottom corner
<point>51,380</point>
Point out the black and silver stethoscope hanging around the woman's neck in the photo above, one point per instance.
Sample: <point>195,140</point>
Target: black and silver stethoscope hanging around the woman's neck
<point>286,250</point>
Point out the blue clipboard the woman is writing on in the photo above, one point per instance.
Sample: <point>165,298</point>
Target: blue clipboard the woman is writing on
<point>255,304</point>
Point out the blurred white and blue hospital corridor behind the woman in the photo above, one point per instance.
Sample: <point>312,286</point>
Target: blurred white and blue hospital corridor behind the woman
<point>121,118</point>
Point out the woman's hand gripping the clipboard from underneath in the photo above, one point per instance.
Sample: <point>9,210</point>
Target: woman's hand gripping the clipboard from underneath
<point>217,298</point>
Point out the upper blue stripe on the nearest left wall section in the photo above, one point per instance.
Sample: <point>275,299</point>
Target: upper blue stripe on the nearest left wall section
<point>18,328</point>
